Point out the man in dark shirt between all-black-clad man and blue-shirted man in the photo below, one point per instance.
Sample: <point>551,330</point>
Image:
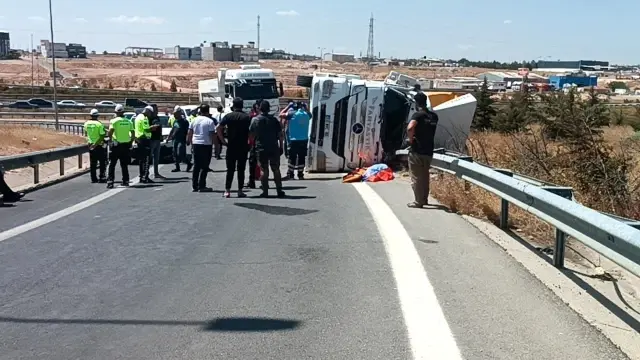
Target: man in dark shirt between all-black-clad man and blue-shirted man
<point>267,131</point>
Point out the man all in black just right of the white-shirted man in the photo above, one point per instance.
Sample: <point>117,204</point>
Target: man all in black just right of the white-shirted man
<point>237,125</point>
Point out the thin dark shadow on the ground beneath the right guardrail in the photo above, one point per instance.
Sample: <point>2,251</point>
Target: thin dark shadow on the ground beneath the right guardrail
<point>572,275</point>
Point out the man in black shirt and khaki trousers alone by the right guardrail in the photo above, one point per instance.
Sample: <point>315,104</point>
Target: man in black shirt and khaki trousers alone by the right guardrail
<point>421,132</point>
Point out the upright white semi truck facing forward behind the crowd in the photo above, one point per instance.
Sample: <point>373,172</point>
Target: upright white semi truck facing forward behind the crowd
<point>250,83</point>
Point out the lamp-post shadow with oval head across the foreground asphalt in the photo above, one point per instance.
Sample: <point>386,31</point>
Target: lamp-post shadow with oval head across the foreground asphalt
<point>239,324</point>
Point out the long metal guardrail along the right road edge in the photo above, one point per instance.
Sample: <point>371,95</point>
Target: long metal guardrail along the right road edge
<point>615,237</point>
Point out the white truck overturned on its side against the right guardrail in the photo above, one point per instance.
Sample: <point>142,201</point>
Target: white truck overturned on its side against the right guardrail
<point>358,123</point>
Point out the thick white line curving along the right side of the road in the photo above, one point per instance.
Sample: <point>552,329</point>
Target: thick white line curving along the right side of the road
<point>429,334</point>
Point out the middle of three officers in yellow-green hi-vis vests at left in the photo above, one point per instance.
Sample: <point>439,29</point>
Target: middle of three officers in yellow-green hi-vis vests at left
<point>121,133</point>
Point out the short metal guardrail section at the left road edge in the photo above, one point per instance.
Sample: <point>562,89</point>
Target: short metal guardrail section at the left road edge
<point>34,159</point>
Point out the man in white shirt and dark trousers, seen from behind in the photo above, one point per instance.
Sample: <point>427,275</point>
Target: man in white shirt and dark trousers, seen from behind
<point>201,134</point>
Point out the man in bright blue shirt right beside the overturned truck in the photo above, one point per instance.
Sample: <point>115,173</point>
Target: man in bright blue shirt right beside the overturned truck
<point>298,139</point>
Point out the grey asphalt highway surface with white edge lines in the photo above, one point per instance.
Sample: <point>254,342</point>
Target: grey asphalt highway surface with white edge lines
<point>333,271</point>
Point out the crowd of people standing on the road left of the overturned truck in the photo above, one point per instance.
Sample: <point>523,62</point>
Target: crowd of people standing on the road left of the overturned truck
<point>258,137</point>
